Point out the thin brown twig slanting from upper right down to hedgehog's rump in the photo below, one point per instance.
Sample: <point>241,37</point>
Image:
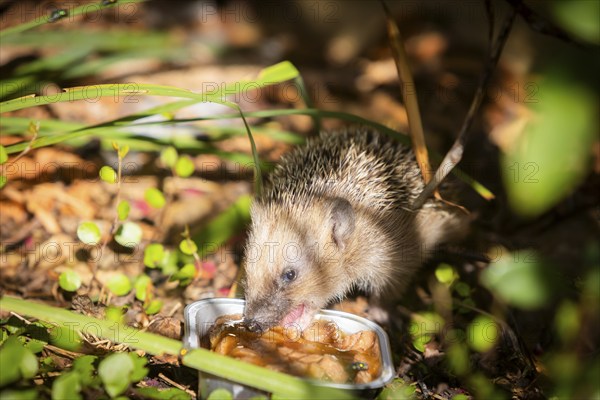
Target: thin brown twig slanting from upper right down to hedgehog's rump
<point>455,153</point>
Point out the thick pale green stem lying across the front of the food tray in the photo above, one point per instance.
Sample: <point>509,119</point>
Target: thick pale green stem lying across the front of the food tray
<point>200,359</point>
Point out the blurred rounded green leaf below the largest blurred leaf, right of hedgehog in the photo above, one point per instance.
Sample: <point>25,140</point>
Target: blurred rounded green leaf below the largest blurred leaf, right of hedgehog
<point>519,279</point>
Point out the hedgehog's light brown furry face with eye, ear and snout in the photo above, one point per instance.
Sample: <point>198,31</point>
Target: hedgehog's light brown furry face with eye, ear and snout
<point>294,260</point>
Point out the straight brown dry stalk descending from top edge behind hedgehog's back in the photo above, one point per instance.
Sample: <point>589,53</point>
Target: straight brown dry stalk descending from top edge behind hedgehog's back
<point>409,95</point>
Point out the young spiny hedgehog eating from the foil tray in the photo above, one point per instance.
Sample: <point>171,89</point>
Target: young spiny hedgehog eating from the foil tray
<point>336,215</point>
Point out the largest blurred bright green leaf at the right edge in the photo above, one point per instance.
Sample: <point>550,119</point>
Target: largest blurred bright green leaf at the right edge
<point>551,154</point>
